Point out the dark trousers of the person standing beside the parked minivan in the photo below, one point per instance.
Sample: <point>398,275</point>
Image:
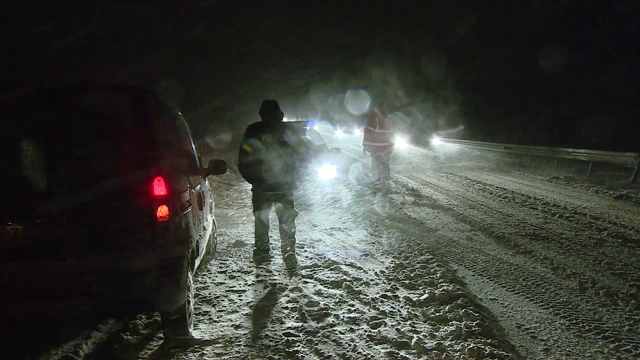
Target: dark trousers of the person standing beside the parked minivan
<point>283,203</point>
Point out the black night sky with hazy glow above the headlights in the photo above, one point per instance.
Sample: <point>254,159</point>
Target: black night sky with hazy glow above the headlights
<point>553,73</point>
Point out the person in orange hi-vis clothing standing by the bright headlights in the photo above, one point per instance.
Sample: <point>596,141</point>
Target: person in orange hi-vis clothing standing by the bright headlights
<point>379,141</point>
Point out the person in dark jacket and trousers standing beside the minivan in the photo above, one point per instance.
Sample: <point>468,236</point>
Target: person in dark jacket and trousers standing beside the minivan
<point>268,159</point>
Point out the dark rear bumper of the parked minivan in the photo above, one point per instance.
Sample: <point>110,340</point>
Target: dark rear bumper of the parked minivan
<point>152,280</point>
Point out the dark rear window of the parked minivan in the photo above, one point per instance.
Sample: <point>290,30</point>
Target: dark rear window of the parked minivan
<point>55,144</point>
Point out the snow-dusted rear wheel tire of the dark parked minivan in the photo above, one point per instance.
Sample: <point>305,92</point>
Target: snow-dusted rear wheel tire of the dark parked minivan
<point>178,324</point>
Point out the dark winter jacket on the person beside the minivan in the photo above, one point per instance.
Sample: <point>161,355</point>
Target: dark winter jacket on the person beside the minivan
<point>269,155</point>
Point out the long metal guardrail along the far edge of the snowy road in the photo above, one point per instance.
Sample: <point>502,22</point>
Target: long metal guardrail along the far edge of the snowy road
<point>591,156</point>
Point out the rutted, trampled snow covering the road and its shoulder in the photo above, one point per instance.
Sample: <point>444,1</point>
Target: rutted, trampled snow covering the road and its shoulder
<point>469,258</point>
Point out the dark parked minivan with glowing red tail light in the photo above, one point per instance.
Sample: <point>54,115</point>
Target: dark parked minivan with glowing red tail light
<point>105,206</point>
